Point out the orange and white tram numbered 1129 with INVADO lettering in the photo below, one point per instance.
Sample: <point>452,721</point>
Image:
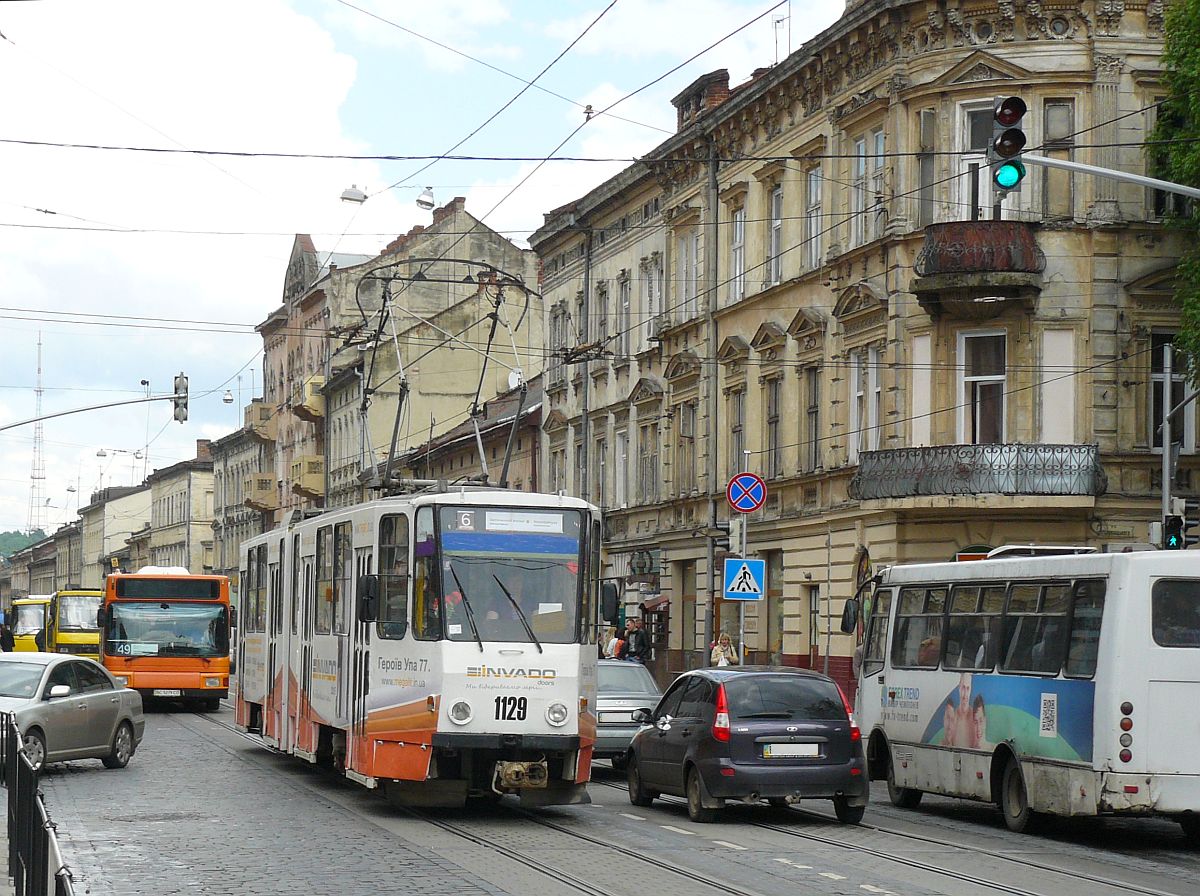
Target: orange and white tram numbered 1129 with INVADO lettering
<point>439,646</point>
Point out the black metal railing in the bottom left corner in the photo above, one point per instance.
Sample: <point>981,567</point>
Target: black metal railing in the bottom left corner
<point>35,863</point>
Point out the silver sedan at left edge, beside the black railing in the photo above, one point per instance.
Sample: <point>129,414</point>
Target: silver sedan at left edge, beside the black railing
<point>70,708</point>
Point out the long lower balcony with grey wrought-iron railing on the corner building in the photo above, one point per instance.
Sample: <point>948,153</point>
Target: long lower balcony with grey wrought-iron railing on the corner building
<point>980,470</point>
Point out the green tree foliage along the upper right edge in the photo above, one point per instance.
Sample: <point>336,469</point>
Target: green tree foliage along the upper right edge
<point>1177,158</point>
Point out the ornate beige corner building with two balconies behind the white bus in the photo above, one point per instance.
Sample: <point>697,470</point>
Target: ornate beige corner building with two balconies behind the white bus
<point>811,281</point>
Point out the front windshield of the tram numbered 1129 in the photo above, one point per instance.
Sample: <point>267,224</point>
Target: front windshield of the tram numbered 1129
<point>511,574</point>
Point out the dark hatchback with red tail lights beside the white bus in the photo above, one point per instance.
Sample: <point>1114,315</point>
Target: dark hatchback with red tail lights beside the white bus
<point>751,733</point>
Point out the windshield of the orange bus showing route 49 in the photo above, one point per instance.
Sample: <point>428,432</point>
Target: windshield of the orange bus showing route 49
<point>167,630</point>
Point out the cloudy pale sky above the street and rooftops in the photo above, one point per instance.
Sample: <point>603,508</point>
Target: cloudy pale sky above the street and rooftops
<point>130,266</point>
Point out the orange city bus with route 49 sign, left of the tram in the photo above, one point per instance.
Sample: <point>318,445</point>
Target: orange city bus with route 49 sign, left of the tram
<point>165,633</point>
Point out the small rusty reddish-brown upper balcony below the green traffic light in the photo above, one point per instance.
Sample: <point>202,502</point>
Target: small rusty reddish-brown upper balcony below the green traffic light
<point>977,269</point>
